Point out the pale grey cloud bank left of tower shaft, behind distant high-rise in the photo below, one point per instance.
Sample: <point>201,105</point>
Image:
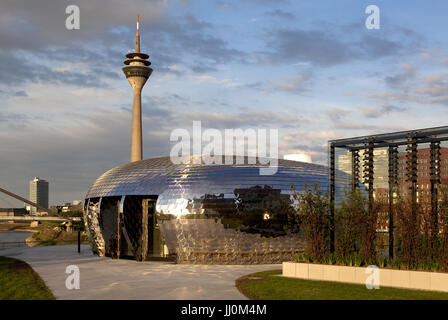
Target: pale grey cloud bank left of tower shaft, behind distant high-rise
<point>70,159</point>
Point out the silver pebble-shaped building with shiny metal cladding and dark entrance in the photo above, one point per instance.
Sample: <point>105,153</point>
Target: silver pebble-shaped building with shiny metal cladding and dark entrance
<point>198,213</point>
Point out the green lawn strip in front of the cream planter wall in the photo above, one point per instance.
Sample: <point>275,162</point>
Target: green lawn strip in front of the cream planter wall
<point>268,285</point>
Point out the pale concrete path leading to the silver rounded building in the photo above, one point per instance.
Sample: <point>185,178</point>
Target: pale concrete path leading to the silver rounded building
<point>104,278</point>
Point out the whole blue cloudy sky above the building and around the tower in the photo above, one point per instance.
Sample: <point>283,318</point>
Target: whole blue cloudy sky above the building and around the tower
<point>310,69</point>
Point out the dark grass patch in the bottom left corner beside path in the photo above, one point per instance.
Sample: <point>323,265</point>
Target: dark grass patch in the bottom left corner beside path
<point>18,281</point>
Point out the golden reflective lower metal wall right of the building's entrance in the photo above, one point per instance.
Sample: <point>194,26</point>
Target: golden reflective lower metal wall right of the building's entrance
<point>255,226</point>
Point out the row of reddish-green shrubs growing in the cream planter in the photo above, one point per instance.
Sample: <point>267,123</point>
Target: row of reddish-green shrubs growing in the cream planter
<point>417,245</point>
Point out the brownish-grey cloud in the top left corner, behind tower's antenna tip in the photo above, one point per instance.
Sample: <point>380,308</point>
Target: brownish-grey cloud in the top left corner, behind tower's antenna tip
<point>41,23</point>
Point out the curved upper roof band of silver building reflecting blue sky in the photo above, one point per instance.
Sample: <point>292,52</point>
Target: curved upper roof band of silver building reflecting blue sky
<point>159,176</point>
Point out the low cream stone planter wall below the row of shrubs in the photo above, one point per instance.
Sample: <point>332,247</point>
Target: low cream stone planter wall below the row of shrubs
<point>387,277</point>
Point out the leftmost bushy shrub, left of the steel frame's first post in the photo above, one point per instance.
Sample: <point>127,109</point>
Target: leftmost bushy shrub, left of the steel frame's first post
<point>312,214</point>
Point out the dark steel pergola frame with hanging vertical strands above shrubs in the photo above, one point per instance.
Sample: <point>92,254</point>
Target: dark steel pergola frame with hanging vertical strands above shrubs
<point>411,139</point>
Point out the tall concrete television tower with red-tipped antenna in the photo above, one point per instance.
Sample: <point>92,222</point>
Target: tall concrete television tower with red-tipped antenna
<point>137,71</point>
